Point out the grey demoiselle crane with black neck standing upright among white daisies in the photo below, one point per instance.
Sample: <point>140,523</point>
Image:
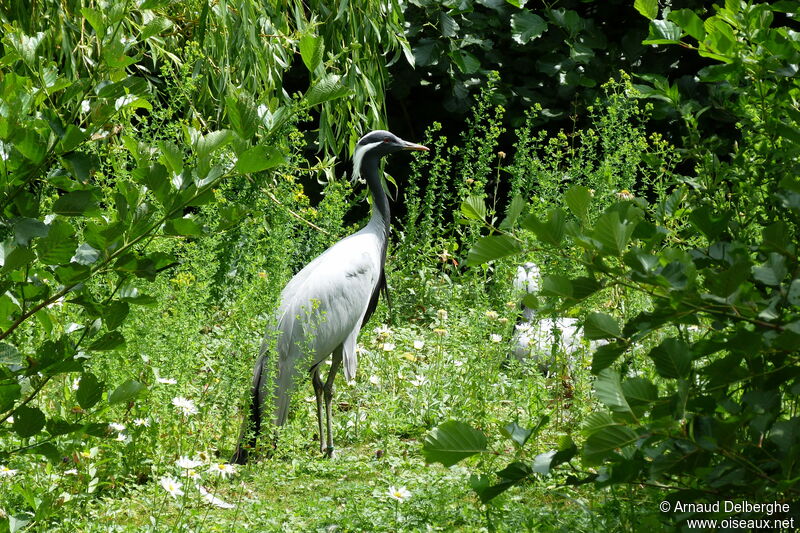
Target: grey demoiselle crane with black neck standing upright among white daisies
<point>324,306</point>
